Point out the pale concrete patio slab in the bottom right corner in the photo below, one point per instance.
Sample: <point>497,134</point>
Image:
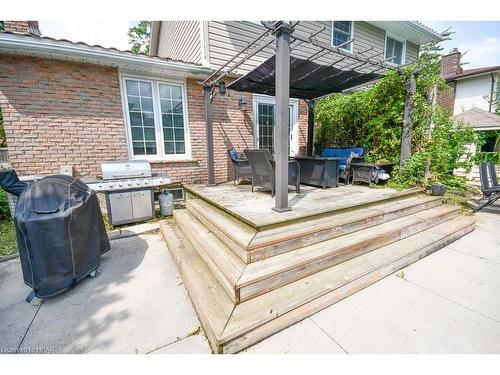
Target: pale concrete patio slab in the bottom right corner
<point>395,316</point>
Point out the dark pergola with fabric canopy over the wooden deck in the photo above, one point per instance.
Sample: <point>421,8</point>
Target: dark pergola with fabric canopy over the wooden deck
<point>285,76</point>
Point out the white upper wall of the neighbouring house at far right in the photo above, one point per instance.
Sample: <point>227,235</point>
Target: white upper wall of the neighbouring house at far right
<point>472,92</point>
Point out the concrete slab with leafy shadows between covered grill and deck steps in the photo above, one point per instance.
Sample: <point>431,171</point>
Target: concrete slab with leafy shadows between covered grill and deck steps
<point>135,305</point>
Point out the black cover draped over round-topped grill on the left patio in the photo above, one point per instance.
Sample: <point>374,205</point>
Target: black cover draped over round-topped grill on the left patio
<point>60,233</point>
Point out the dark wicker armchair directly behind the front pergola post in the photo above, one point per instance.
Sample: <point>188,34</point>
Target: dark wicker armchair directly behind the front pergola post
<point>262,166</point>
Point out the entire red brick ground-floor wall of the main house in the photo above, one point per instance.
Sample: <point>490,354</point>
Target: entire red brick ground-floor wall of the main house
<point>60,113</point>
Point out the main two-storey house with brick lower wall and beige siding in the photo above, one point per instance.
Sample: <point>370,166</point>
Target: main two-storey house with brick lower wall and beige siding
<point>71,104</point>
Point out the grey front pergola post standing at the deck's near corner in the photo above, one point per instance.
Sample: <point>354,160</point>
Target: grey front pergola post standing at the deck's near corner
<point>281,153</point>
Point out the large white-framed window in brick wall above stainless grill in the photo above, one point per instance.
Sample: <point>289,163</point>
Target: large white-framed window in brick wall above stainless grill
<point>156,118</point>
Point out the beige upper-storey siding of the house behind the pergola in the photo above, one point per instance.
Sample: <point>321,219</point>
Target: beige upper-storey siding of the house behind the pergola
<point>226,38</point>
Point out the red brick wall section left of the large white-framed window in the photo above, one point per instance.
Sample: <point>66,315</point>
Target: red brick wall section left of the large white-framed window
<point>59,113</point>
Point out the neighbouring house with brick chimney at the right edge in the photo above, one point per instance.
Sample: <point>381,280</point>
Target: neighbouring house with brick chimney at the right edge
<point>471,100</point>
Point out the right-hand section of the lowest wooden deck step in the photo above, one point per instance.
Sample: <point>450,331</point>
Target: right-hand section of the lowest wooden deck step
<point>258,318</point>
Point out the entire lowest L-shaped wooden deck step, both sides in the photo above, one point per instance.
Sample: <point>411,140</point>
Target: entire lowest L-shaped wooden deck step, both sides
<point>232,328</point>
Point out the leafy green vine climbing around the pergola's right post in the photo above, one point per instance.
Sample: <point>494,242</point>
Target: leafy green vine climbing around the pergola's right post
<point>373,118</point>
